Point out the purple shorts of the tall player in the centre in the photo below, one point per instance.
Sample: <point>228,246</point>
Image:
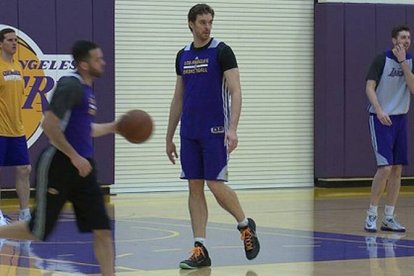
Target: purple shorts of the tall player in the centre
<point>204,158</point>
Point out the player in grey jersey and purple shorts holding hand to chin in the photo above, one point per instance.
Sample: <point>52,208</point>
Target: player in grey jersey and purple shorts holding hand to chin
<point>389,83</point>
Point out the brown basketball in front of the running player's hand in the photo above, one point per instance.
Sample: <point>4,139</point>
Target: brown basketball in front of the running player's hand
<point>135,125</point>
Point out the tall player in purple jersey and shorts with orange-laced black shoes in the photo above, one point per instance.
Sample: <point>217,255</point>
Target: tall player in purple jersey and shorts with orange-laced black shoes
<point>207,78</point>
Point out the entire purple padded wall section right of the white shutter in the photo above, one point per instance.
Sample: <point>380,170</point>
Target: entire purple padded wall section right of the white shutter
<point>347,38</point>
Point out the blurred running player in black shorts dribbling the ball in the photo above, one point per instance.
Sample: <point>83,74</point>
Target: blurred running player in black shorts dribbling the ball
<point>65,169</point>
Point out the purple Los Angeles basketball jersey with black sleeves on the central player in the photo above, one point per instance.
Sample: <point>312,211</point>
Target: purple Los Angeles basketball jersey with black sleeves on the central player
<point>206,107</point>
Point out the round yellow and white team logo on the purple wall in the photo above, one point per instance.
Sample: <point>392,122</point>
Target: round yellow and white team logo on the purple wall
<point>40,72</point>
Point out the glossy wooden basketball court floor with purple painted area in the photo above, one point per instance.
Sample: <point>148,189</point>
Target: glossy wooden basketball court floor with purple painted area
<point>302,232</point>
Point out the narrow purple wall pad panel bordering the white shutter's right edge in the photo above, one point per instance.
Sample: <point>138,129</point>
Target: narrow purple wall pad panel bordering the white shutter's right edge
<point>329,90</point>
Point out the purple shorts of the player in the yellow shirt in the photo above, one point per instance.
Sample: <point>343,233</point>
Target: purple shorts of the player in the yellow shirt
<point>13,151</point>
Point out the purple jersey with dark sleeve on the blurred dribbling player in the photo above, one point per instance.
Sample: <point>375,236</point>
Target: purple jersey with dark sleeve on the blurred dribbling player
<point>74,103</point>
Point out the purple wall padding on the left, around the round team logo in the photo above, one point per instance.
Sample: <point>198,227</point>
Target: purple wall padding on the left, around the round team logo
<point>54,26</point>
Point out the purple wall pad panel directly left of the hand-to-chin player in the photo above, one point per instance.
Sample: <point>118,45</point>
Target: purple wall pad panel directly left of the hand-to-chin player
<point>358,52</point>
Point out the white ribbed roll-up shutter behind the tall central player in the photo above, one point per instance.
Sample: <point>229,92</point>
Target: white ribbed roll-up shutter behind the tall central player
<point>273,42</point>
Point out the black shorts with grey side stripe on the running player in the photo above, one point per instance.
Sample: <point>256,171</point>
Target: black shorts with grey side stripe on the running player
<point>58,181</point>
